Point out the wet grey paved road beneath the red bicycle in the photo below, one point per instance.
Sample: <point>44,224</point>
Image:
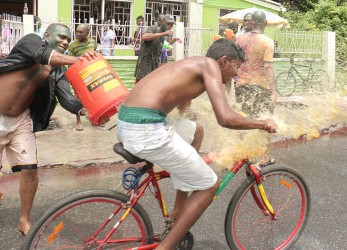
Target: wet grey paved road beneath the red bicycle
<point>322,162</point>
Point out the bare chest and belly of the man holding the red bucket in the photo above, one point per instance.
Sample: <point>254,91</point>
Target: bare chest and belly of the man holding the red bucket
<point>18,87</point>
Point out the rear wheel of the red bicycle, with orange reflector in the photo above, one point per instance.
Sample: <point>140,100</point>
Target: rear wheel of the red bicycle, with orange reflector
<point>79,221</point>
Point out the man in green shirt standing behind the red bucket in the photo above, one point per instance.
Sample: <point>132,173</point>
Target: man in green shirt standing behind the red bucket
<point>82,43</point>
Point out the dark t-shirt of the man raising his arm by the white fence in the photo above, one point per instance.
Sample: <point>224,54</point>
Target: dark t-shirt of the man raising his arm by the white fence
<point>150,54</point>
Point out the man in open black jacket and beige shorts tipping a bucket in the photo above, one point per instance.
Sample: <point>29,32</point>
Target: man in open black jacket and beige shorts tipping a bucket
<point>29,84</point>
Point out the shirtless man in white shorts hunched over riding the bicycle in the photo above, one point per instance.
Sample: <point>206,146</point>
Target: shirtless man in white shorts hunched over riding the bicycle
<point>144,132</point>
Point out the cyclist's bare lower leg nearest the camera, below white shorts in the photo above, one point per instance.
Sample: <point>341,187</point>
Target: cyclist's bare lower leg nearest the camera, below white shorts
<point>190,212</point>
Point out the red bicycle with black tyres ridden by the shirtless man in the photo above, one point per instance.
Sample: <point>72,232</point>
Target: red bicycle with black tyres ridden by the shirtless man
<point>106,219</point>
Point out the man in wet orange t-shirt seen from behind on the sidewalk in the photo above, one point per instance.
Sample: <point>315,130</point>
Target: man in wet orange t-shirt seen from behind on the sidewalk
<point>255,87</point>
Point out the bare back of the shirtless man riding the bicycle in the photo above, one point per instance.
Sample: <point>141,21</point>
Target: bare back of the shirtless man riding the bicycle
<point>159,90</point>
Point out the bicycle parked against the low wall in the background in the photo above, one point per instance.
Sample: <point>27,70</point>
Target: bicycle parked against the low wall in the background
<point>316,80</point>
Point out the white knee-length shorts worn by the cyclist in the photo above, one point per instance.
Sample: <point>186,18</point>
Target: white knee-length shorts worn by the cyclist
<point>160,144</point>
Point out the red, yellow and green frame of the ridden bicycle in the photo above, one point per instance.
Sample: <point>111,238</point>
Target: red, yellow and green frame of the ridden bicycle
<point>153,178</point>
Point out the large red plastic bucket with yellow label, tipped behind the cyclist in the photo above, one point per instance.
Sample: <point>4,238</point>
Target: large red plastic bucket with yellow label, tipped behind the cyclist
<point>97,86</point>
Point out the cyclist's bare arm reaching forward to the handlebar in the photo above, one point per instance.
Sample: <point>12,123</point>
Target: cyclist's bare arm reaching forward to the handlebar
<point>226,117</point>
